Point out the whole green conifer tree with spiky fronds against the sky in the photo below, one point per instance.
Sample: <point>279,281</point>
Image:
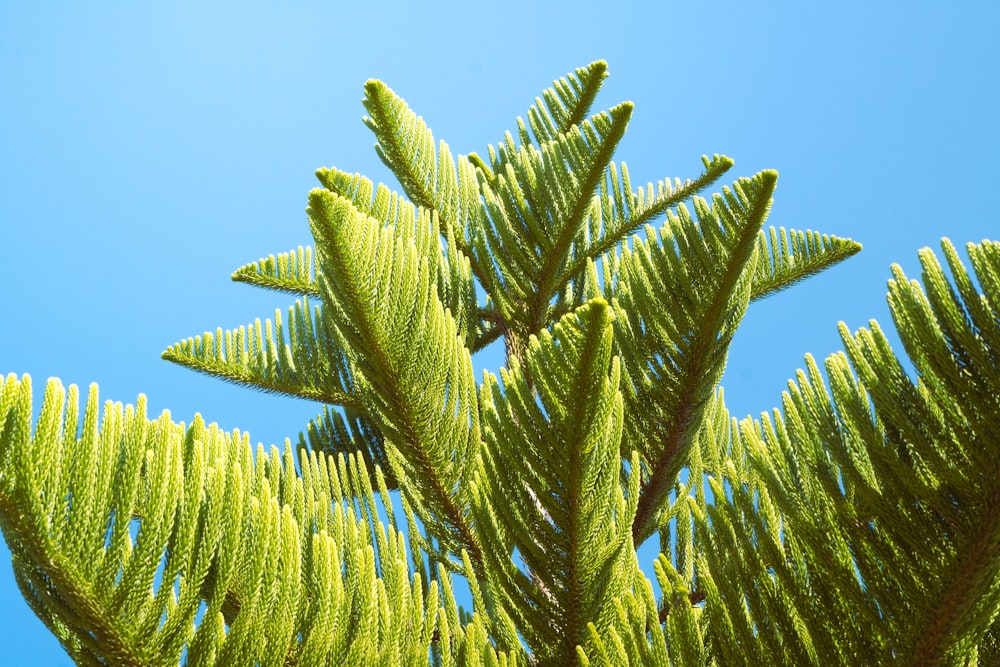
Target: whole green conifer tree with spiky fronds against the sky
<point>859,524</point>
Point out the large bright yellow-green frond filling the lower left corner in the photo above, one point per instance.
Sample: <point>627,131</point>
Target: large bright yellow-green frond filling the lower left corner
<point>143,542</point>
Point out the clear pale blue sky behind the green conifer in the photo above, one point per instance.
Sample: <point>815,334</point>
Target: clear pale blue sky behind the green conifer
<point>149,149</point>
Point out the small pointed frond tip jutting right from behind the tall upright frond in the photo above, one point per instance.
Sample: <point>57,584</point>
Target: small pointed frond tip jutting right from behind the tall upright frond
<point>788,258</point>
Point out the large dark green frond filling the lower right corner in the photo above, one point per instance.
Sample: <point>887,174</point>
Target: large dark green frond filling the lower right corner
<point>871,534</point>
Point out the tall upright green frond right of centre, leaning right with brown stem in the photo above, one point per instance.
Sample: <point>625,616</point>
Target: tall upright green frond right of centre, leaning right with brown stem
<point>679,298</point>
